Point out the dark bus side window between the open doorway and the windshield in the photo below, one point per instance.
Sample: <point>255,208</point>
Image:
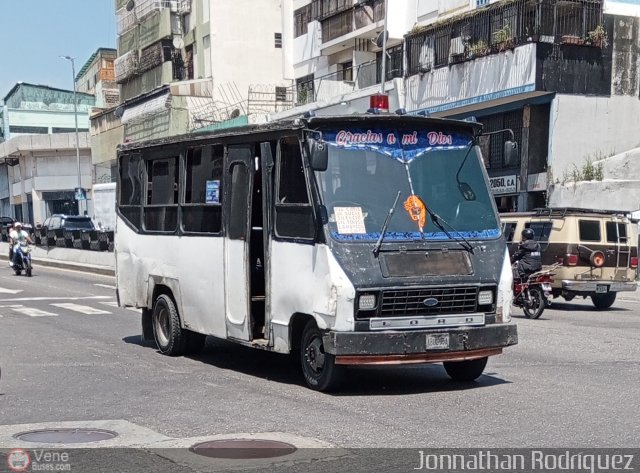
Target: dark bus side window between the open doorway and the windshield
<point>294,213</point>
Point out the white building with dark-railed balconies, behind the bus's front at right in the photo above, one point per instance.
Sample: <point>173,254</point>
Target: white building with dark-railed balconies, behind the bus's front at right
<point>550,70</point>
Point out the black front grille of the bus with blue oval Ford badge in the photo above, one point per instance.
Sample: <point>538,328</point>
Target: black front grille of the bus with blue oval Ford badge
<point>451,300</point>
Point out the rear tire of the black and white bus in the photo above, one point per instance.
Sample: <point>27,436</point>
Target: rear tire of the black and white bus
<point>168,334</point>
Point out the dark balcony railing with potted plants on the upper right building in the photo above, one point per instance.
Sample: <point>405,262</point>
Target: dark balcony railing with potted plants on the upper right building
<point>504,26</point>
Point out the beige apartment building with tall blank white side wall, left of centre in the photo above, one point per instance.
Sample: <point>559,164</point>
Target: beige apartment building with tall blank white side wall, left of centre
<point>183,65</point>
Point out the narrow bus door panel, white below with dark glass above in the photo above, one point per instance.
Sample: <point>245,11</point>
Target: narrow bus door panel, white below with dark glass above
<point>239,175</point>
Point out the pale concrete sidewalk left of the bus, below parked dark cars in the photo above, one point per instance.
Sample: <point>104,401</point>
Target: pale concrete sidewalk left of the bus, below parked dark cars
<point>97,262</point>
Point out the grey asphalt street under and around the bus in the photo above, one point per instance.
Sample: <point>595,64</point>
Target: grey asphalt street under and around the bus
<point>68,354</point>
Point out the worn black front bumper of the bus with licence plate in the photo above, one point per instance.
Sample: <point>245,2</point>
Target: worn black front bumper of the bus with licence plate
<point>423,346</point>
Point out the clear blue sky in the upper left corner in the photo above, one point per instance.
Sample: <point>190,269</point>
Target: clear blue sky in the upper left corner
<point>34,33</point>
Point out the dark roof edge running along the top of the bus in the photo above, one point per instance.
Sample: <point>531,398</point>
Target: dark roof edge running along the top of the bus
<point>302,123</point>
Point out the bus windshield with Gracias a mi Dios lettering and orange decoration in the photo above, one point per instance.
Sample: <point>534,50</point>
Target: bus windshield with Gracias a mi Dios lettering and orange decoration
<point>436,172</point>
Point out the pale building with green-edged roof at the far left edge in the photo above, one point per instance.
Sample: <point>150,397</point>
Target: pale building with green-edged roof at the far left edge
<point>38,153</point>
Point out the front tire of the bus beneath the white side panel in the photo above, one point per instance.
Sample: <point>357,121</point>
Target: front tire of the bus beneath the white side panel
<point>318,368</point>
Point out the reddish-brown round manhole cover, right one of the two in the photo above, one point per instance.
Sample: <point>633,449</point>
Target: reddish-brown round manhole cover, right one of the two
<point>243,448</point>
